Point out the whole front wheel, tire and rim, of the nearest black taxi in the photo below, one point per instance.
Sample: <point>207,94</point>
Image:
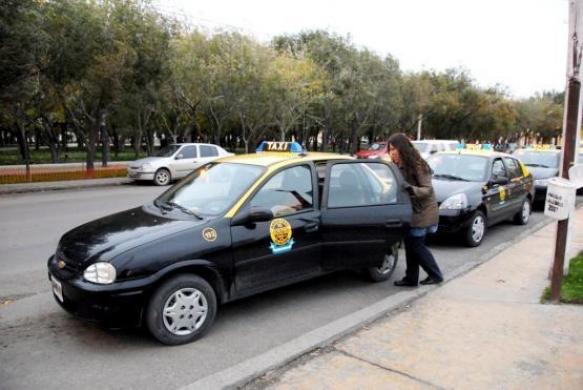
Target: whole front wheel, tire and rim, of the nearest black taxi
<point>165,296</point>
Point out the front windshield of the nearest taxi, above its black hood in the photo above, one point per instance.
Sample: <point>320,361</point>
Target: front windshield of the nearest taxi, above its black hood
<point>211,189</point>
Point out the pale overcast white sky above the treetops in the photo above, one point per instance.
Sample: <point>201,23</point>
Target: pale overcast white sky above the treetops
<point>520,45</point>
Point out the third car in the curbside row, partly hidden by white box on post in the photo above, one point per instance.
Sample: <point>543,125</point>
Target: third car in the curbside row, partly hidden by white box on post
<point>543,164</point>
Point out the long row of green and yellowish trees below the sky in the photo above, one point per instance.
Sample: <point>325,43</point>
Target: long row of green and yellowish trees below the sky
<point>117,70</point>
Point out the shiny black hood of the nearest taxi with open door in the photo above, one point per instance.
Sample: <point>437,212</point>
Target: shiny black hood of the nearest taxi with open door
<point>104,238</point>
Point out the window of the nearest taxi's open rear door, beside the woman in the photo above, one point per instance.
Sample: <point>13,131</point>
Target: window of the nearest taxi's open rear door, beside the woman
<point>363,184</point>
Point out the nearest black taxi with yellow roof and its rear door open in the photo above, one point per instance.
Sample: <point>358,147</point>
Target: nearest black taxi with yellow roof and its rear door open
<point>234,227</point>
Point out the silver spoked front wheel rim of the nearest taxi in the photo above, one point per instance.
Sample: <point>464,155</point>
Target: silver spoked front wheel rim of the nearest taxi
<point>185,311</point>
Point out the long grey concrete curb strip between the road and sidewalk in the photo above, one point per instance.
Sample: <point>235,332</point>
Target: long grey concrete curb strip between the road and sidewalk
<point>246,371</point>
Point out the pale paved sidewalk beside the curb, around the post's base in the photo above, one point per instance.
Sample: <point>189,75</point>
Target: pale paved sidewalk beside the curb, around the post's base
<point>484,330</point>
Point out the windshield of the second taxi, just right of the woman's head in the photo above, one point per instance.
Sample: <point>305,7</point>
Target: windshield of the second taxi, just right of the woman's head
<point>458,167</point>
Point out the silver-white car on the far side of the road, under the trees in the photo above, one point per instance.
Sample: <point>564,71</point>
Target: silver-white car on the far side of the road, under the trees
<point>174,162</point>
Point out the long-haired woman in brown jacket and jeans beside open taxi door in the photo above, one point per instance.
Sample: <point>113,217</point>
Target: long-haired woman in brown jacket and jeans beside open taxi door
<point>417,174</point>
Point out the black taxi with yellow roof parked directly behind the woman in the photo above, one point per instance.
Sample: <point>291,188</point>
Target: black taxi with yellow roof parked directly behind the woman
<point>476,187</point>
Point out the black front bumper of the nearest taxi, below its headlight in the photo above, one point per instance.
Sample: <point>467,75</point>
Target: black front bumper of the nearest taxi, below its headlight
<point>116,305</point>
